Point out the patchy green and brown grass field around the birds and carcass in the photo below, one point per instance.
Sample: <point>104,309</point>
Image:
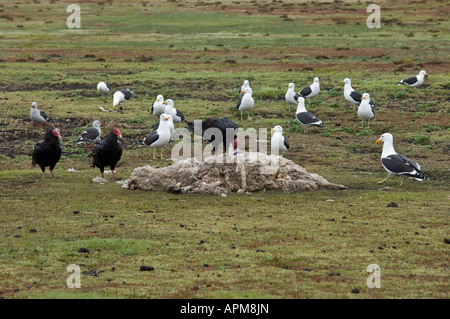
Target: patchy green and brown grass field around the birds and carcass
<point>314,244</point>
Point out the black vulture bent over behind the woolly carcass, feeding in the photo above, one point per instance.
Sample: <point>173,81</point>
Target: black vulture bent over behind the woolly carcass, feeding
<point>228,132</point>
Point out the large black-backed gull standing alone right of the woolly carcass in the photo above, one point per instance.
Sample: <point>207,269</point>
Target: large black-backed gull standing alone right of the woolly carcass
<point>397,164</point>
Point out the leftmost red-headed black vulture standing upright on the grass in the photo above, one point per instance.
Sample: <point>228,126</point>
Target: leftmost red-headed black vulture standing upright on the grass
<point>48,152</point>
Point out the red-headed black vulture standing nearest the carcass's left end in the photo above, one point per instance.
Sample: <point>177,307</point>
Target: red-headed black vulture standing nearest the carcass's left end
<point>107,152</point>
